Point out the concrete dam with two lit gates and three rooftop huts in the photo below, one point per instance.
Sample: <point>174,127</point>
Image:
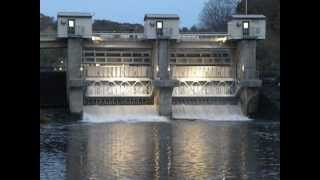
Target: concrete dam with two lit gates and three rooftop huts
<point>160,72</point>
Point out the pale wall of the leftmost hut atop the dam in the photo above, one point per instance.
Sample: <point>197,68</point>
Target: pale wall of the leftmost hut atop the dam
<point>83,27</point>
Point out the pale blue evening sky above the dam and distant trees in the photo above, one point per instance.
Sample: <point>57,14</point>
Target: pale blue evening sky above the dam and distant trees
<point>131,11</point>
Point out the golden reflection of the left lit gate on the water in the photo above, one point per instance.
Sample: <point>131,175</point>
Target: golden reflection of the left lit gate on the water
<point>119,151</point>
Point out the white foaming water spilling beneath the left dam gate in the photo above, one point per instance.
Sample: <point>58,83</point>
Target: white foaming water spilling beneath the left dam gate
<point>122,113</point>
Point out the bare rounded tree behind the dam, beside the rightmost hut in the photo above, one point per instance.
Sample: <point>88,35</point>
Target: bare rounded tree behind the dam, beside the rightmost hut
<point>215,14</point>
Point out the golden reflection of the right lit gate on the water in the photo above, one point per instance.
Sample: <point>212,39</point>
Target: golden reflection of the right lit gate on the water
<point>201,151</point>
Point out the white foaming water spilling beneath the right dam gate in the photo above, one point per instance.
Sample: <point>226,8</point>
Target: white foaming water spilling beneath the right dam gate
<point>209,112</point>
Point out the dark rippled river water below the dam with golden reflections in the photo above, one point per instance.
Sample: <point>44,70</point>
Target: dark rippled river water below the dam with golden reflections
<point>176,150</point>
